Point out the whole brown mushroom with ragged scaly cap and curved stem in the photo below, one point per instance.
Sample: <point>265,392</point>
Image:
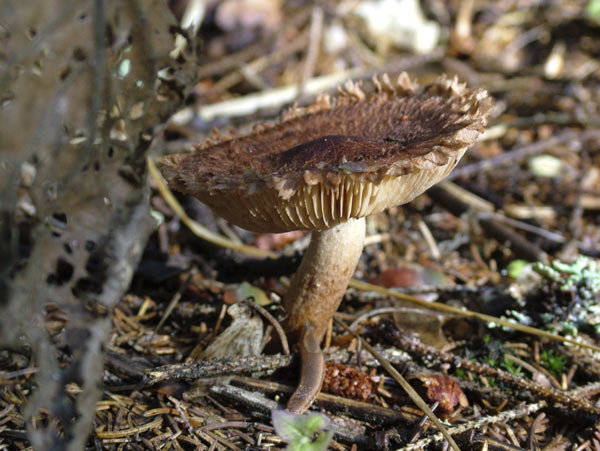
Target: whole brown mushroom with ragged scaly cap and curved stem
<point>324,168</point>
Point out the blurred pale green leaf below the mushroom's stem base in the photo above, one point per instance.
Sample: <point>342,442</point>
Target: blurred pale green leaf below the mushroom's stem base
<point>309,432</point>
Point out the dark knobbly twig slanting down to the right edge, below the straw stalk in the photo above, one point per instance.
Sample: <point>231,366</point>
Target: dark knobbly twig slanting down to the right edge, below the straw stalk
<point>416,346</point>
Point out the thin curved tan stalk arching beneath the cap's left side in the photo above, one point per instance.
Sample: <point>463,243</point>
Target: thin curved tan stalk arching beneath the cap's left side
<point>196,228</point>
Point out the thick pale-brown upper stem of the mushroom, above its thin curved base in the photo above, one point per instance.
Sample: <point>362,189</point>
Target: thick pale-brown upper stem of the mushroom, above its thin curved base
<point>318,286</point>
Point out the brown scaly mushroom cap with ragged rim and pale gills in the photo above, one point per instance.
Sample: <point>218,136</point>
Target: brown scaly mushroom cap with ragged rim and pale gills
<point>340,158</point>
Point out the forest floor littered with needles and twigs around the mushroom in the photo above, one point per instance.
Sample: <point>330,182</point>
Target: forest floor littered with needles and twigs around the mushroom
<point>514,233</point>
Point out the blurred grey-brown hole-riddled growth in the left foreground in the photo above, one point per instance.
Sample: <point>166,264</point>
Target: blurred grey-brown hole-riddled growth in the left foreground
<point>85,87</point>
